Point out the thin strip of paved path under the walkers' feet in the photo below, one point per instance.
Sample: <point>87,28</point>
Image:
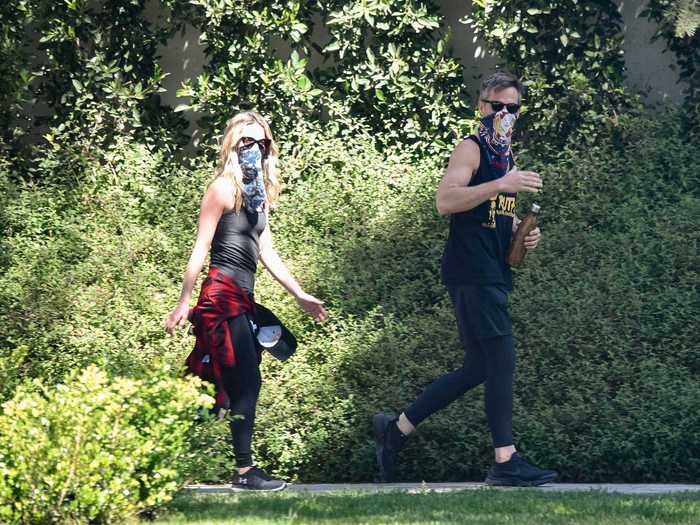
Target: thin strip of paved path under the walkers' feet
<point>622,488</point>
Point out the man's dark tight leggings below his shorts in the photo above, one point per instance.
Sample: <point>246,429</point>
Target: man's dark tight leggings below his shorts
<point>490,360</point>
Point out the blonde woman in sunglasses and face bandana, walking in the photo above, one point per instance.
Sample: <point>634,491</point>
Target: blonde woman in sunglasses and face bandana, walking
<point>234,227</point>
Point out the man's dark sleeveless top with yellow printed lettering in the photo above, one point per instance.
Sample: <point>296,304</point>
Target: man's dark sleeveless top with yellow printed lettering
<point>479,238</point>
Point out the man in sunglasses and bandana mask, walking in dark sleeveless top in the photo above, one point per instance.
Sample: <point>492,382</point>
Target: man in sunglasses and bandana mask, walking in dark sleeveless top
<point>478,191</point>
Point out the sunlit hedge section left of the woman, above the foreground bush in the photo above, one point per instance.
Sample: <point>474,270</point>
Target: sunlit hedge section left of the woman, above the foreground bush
<point>84,265</point>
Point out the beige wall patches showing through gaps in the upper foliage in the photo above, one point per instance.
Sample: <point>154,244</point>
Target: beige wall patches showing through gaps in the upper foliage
<point>648,67</point>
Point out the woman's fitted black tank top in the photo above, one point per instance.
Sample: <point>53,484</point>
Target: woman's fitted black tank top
<point>234,248</point>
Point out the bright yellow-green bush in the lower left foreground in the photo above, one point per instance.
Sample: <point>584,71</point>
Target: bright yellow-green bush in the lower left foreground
<point>94,450</point>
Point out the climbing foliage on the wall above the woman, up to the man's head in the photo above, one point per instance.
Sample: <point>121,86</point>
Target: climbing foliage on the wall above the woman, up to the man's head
<point>386,64</point>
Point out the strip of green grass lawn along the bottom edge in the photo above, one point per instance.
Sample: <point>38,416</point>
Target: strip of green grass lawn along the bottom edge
<point>482,506</point>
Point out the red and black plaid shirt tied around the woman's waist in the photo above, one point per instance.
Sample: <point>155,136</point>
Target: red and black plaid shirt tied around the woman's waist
<point>219,300</point>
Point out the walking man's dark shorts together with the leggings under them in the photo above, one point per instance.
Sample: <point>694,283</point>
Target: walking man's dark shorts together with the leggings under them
<point>488,358</point>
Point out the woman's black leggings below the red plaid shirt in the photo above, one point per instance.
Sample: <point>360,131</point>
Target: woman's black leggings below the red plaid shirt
<point>242,383</point>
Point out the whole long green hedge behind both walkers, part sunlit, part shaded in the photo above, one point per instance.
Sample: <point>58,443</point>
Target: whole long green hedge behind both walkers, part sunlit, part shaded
<point>604,310</point>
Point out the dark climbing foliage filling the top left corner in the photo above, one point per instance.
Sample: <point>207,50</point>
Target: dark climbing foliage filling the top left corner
<point>84,71</point>
